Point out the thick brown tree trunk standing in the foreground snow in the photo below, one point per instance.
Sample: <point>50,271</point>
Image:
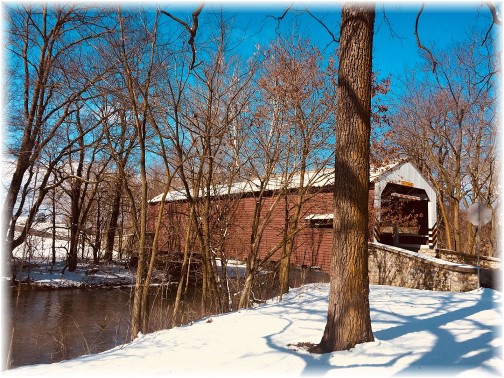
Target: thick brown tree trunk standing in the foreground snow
<point>348,320</point>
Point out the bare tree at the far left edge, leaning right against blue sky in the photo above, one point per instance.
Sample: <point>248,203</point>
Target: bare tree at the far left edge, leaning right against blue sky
<point>56,76</point>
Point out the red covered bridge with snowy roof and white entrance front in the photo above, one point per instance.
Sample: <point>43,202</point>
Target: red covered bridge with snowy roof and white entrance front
<point>402,204</point>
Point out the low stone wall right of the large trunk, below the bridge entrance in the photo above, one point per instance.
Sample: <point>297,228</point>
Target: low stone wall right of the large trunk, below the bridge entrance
<point>398,267</point>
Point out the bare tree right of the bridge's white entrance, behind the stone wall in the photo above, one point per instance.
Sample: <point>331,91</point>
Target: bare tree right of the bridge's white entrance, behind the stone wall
<point>452,118</point>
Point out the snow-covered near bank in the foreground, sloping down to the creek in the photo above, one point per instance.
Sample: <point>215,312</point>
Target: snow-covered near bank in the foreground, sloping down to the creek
<point>417,333</point>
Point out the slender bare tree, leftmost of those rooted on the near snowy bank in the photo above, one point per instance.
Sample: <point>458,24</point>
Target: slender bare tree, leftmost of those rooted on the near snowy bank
<point>134,49</point>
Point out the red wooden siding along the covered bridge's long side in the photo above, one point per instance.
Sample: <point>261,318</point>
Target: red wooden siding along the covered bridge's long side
<point>312,244</point>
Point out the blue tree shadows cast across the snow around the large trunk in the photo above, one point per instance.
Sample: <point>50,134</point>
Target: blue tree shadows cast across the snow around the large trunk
<point>447,355</point>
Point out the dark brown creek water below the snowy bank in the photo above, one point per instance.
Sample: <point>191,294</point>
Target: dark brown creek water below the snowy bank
<point>55,325</point>
